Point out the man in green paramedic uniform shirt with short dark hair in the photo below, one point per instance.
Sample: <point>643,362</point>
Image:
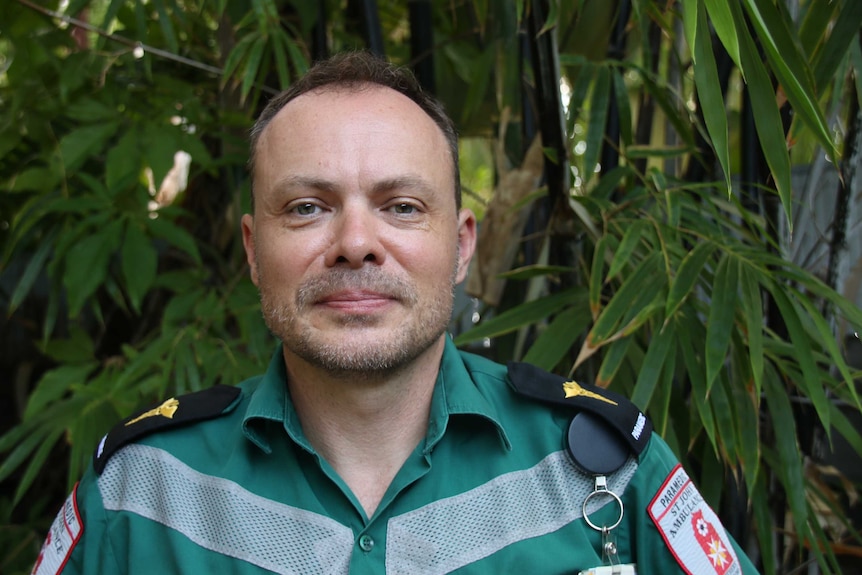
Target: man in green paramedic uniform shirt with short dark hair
<point>372,445</point>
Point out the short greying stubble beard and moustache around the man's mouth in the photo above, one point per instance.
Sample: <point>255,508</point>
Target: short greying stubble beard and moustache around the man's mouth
<point>357,355</point>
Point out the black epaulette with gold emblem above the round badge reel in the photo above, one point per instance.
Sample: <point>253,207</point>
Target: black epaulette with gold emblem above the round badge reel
<point>618,412</point>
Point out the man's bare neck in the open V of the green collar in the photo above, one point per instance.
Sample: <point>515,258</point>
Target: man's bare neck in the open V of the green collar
<point>367,425</point>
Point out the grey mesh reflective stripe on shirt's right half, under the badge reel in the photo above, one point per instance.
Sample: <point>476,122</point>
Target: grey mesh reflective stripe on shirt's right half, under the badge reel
<point>454,532</point>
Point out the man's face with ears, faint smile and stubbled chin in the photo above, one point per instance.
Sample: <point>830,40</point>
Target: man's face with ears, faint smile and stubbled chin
<point>355,243</point>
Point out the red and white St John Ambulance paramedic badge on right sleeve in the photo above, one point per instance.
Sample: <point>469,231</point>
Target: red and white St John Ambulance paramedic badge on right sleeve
<point>691,529</point>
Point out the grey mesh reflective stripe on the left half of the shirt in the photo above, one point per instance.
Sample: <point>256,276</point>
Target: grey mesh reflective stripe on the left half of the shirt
<point>221,516</point>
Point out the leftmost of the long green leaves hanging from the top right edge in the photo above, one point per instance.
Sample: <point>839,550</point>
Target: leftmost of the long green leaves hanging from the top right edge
<point>709,94</point>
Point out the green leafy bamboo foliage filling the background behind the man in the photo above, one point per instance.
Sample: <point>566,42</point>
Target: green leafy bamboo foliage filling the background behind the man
<point>643,244</point>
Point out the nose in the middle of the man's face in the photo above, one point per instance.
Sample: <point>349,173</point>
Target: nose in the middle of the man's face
<point>356,239</point>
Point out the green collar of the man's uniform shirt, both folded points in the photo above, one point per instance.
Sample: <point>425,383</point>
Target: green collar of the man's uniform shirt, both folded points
<point>456,393</point>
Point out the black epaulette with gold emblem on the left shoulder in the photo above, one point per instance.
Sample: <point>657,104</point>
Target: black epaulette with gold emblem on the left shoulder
<point>175,412</point>
